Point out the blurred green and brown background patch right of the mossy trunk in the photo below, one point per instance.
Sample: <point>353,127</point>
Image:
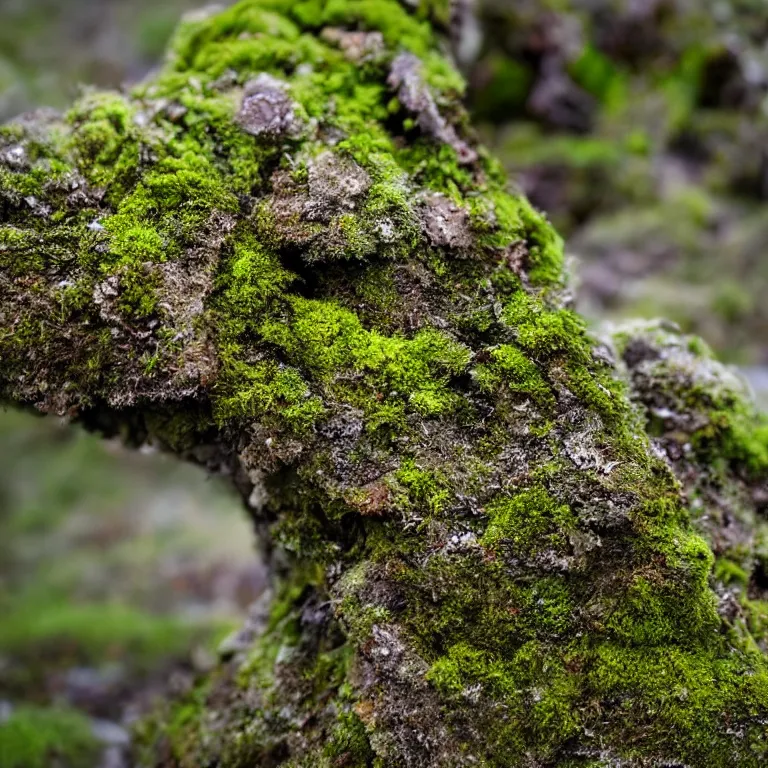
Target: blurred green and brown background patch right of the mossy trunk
<point>641,128</point>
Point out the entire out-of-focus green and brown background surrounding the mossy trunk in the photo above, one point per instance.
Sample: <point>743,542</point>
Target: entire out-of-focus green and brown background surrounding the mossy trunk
<point>639,126</point>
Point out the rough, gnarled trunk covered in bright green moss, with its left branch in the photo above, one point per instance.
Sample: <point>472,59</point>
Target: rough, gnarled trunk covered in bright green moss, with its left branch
<point>285,257</point>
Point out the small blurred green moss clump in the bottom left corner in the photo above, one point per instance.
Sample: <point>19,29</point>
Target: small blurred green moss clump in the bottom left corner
<point>35,737</point>
